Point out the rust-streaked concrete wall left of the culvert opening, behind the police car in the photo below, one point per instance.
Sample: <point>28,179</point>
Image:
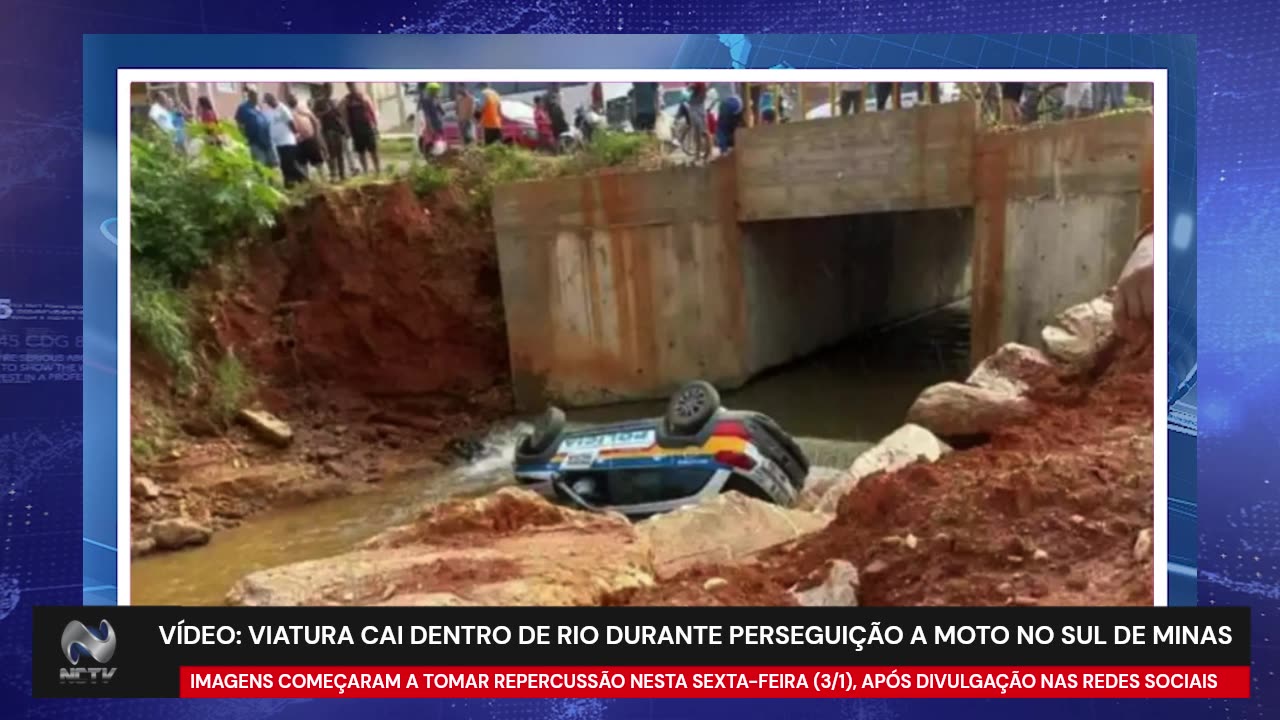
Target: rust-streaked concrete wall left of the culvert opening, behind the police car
<point>621,286</point>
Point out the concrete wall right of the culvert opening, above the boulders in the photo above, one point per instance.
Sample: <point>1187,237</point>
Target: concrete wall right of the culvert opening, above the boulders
<point>1058,209</point>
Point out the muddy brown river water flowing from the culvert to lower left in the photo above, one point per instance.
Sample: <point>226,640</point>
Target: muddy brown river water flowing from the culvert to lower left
<point>839,402</point>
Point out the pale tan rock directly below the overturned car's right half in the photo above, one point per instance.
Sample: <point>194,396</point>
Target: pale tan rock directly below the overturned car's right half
<point>729,528</point>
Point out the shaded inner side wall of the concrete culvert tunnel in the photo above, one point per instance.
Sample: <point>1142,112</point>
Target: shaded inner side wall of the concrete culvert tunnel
<point>815,282</point>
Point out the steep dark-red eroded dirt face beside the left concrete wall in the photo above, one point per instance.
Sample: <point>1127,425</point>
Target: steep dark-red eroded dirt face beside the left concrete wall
<point>377,293</point>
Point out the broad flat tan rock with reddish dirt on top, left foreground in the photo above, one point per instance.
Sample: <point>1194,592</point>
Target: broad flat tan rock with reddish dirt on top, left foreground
<point>511,548</point>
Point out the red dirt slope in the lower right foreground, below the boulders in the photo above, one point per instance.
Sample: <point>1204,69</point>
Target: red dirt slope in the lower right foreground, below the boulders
<point>1046,513</point>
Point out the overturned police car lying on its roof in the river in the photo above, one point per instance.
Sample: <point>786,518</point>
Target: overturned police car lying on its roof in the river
<point>642,468</point>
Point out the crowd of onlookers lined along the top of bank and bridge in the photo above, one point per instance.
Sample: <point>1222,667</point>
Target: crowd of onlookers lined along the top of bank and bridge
<point>331,138</point>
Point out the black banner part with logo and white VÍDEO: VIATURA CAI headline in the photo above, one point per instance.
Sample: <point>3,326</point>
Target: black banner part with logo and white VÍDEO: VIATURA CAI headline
<point>138,651</point>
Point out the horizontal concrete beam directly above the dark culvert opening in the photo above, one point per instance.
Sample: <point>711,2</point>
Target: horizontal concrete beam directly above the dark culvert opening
<point>867,163</point>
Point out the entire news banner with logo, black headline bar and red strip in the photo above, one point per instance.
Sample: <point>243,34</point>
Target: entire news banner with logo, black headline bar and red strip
<point>660,653</point>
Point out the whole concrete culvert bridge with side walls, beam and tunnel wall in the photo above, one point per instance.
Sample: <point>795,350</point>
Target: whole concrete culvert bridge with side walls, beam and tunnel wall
<point>624,286</point>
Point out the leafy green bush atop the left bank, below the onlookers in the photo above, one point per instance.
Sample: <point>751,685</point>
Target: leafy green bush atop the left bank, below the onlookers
<point>188,207</point>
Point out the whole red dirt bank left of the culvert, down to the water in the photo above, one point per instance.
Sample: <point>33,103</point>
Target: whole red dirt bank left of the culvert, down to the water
<point>372,325</point>
